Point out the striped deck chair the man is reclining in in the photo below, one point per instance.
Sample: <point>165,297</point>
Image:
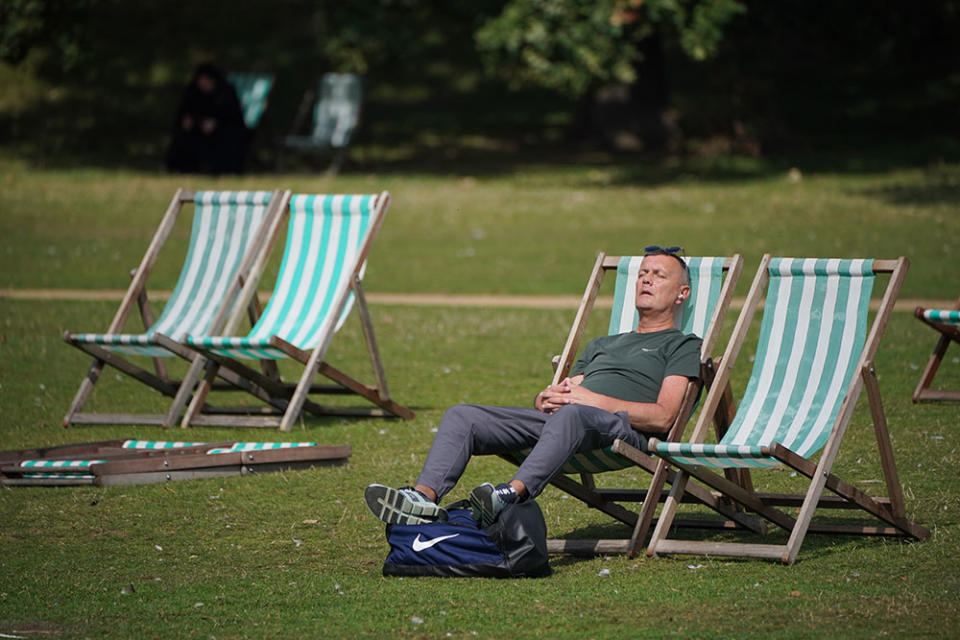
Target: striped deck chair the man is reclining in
<point>712,282</point>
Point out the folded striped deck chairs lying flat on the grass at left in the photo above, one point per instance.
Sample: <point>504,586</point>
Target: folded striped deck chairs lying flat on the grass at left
<point>113,462</point>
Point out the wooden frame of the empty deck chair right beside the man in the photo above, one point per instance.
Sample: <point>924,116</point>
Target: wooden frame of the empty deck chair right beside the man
<point>890,511</point>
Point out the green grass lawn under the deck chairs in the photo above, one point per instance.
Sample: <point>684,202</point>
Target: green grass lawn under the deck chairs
<point>297,555</point>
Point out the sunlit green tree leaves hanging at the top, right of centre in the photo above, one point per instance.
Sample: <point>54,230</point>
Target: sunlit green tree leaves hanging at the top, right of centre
<point>573,45</point>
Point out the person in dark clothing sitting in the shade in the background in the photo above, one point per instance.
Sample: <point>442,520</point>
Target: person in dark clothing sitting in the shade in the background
<point>209,135</point>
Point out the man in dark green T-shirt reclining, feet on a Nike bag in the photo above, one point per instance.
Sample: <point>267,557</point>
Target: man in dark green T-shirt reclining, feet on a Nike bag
<point>628,386</point>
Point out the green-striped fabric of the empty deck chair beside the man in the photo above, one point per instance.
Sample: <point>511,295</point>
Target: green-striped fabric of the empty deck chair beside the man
<point>811,338</point>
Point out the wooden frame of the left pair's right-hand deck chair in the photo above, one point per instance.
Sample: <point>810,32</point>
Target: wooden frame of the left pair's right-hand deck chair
<point>286,400</point>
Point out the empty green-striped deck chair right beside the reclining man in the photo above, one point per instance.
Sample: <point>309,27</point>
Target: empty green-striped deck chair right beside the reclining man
<point>814,356</point>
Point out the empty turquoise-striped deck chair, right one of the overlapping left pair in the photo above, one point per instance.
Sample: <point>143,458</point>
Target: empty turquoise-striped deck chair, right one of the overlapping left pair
<point>328,239</point>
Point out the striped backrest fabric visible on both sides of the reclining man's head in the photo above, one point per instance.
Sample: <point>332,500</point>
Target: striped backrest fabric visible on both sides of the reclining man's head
<point>706,279</point>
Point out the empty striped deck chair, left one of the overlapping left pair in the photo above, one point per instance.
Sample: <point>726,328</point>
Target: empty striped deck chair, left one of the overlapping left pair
<point>227,233</point>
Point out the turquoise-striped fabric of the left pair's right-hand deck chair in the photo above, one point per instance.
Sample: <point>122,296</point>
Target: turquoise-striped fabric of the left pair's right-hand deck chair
<point>324,238</point>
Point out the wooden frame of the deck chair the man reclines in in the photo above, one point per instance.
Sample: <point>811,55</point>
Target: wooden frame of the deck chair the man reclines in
<point>607,500</point>
